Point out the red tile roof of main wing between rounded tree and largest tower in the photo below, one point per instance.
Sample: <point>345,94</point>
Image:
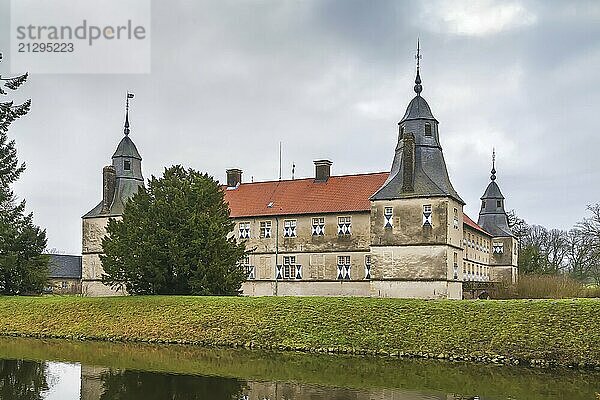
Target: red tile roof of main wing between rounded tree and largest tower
<point>345,193</point>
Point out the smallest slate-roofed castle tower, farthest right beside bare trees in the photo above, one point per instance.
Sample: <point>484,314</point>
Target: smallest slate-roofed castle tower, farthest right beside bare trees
<point>493,218</point>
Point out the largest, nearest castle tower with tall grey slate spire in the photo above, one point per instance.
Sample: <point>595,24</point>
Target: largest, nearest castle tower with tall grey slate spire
<point>416,216</point>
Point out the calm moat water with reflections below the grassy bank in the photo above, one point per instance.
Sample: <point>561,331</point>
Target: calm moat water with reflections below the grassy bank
<point>32,369</point>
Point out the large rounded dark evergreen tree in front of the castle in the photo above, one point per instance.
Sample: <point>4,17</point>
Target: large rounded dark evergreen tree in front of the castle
<point>174,238</point>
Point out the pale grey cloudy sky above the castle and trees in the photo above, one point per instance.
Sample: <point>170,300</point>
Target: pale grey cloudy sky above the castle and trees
<point>331,79</point>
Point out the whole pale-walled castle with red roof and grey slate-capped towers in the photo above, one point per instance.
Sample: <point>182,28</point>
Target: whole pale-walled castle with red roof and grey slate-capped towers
<point>401,233</point>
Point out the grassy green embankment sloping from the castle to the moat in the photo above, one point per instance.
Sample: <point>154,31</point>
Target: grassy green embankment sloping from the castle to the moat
<point>540,332</point>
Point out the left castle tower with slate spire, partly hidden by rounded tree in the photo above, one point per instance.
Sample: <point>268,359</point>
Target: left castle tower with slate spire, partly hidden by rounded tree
<point>120,181</point>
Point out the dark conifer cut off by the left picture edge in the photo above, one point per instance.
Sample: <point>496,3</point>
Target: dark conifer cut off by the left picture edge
<point>23,268</point>
